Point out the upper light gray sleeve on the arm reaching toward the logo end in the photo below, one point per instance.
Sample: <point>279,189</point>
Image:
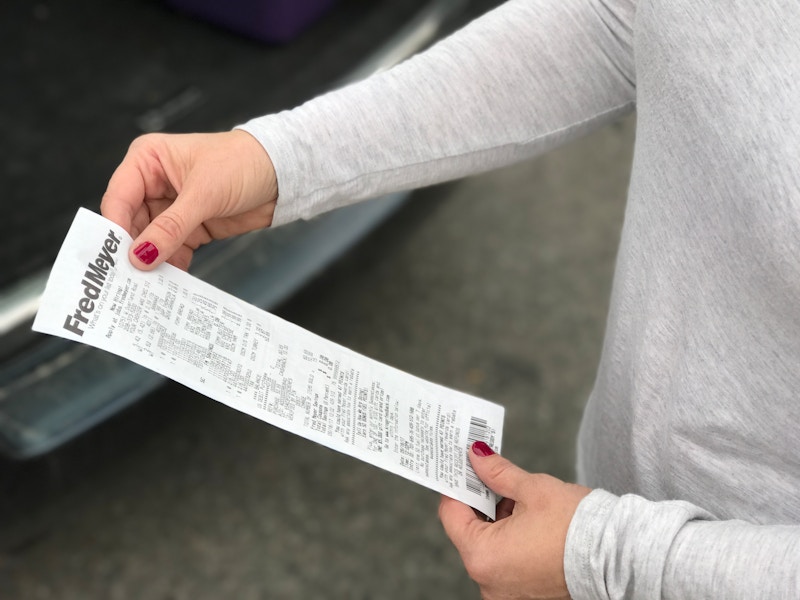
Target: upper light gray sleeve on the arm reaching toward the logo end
<point>514,83</point>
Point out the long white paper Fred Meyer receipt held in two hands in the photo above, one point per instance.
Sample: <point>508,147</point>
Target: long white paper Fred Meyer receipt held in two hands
<point>224,348</point>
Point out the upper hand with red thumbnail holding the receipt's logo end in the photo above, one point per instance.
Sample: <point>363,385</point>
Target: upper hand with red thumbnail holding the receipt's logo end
<point>173,193</point>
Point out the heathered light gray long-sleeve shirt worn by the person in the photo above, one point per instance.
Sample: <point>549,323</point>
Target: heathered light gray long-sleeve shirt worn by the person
<point>693,427</point>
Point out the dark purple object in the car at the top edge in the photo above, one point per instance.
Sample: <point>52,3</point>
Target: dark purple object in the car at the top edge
<point>267,20</point>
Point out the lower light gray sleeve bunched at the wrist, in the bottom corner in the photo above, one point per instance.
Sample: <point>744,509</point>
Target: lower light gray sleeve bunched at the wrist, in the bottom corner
<point>629,547</point>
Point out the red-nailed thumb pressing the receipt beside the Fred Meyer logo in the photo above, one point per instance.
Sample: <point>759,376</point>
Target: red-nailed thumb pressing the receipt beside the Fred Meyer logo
<point>164,237</point>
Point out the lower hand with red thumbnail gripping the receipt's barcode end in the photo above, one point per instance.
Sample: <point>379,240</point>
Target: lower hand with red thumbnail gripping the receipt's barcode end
<point>521,555</point>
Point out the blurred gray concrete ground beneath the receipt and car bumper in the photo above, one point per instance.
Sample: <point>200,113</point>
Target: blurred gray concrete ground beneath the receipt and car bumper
<point>496,285</point>
